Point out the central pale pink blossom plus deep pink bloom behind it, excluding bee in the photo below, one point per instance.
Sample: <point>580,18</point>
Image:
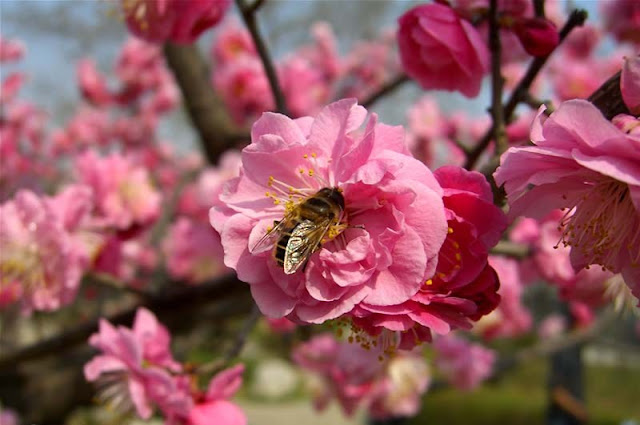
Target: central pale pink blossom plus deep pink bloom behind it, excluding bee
<point>414,257</point>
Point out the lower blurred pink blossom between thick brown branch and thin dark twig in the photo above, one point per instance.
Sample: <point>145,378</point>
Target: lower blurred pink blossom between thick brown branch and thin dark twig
<point>244,88</point>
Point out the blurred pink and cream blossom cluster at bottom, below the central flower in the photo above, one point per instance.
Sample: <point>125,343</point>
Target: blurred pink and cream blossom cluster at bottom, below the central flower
<point>355,377</point>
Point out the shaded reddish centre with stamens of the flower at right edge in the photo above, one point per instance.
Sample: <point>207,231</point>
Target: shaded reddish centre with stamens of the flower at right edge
<point>601,225</point>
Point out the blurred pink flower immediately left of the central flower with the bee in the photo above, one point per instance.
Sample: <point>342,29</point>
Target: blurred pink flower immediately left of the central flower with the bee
<point>193,251</point>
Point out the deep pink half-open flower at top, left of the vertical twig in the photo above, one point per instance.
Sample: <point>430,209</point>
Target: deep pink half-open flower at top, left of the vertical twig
<point>442,51</point>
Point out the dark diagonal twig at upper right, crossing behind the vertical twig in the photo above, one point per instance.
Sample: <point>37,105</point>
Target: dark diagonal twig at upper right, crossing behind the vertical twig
<point>576,19</point>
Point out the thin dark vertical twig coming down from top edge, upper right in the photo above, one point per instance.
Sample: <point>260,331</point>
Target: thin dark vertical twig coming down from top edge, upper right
<point>499,134</point>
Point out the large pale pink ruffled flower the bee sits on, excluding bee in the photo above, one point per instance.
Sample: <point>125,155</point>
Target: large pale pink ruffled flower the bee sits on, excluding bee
<point>392,195</point>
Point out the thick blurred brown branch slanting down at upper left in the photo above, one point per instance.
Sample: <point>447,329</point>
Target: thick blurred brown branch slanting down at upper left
<point>205,109</point>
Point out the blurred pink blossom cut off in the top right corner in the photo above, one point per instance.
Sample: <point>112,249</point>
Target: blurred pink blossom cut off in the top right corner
<point>622,19</point>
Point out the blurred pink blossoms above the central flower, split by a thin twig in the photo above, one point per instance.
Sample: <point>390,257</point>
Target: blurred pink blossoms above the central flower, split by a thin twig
<point>310,77</point>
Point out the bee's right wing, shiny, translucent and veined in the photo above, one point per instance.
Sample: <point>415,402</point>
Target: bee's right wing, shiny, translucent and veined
<point>304,240</point>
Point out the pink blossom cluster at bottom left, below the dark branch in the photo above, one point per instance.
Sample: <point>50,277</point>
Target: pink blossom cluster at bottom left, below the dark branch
<point>137,372</point>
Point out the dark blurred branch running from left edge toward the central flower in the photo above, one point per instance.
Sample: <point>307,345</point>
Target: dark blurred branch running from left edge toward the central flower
<point>167,304</point>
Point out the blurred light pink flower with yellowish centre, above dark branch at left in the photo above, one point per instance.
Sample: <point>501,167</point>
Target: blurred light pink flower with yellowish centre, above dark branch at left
<point>123,190</point>
